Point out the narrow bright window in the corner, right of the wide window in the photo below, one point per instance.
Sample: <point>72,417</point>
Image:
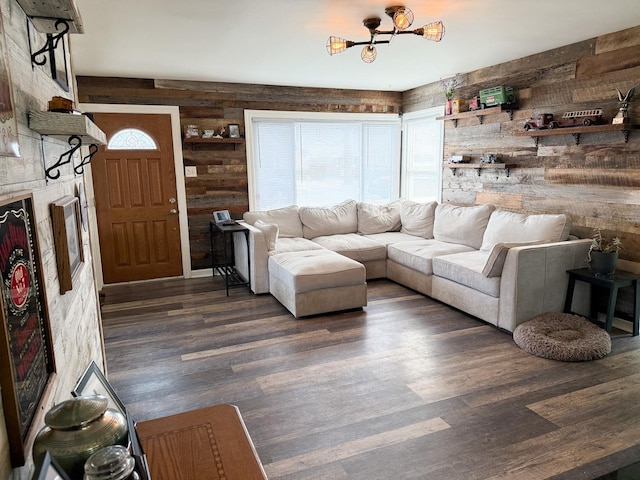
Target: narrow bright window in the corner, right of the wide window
<point>422,151</point>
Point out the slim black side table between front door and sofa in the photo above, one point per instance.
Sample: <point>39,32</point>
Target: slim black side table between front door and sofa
<point>227,268</point>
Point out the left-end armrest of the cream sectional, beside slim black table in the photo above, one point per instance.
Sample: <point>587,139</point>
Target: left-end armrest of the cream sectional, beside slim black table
<point>257,252</point>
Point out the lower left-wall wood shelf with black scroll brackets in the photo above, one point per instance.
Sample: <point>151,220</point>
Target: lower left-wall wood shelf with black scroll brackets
<point>75,130</point>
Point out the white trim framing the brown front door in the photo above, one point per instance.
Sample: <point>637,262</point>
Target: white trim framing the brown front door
<point>174,112</point>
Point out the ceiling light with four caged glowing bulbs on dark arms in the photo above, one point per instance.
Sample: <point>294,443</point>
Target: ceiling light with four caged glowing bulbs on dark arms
<point>402,19</point>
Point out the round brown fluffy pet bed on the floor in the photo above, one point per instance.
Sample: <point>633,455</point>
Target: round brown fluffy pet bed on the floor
<point>562,336</point>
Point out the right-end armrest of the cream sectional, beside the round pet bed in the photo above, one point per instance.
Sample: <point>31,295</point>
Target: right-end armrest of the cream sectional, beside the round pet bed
<point>534,279</point>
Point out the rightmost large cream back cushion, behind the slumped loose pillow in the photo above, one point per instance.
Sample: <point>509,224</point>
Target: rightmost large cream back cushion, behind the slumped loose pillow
<point>512,227</point>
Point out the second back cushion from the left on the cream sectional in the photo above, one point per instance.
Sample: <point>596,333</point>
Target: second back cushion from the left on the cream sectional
<point>319,221</point>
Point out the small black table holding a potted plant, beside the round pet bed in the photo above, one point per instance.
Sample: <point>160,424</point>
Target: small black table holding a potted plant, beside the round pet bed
<point>611,282</point>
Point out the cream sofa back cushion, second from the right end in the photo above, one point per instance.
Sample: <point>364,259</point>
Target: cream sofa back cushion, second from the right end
<point>463,225</point>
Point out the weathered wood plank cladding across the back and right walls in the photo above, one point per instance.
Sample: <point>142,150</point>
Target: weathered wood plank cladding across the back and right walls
<point>596,182</point>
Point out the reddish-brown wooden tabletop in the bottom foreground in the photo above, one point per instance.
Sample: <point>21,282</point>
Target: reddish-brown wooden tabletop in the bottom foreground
<point>210,443</point>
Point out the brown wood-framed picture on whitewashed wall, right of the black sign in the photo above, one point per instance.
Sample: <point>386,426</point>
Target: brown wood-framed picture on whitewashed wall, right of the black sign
<point>65,216</point>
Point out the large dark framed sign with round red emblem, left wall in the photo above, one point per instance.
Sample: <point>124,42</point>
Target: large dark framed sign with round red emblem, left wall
<point>27,363</point>
